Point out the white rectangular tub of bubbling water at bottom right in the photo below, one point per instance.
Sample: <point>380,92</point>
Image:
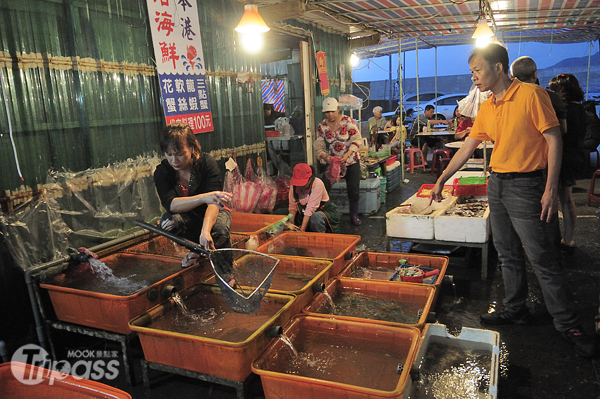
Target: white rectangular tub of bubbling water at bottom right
<point>447,366</point>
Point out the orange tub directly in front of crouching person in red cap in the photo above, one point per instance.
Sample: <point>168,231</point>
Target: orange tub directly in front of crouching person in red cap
<point>338,247</point>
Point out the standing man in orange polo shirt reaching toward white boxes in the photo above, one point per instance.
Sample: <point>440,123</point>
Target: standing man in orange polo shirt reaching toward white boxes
<point>522,191</point>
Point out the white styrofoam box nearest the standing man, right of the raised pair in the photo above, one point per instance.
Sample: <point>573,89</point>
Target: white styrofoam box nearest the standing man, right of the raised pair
<point>462,229</point>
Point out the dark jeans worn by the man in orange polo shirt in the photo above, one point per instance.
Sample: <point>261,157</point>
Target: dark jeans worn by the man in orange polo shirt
<point>515,209</point>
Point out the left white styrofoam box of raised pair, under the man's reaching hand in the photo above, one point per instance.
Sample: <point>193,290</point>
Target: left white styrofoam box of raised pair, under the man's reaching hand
<point>413,225</point>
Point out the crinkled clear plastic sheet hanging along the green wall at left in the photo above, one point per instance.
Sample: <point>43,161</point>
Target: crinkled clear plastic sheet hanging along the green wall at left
<point>81,209</point>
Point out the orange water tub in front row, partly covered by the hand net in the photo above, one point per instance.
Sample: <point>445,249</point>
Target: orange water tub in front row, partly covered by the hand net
<point>223,344</point>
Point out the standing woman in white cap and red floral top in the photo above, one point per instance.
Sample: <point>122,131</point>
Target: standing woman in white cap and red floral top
<point>341,135</point>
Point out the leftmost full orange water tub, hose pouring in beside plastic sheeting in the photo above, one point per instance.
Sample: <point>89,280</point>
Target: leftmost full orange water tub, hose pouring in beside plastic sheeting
<point>79,297</point>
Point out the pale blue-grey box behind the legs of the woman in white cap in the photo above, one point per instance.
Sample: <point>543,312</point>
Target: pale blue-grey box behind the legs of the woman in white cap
<point>369,200</point>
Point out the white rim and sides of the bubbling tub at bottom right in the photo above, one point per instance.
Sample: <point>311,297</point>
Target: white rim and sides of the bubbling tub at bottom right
<point>485,341</point>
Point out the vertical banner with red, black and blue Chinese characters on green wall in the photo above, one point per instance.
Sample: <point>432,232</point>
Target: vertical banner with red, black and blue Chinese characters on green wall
<point>180,62</point>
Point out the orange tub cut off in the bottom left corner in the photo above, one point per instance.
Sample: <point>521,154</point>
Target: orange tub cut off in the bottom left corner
<point>49,384</point>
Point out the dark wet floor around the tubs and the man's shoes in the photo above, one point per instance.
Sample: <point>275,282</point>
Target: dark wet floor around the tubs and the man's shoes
<point>536,362</point>
